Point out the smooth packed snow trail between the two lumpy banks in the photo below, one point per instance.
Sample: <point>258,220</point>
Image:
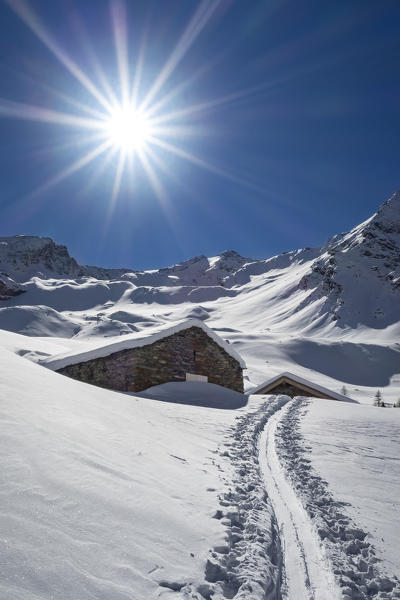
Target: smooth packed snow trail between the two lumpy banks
<point>307,570</point>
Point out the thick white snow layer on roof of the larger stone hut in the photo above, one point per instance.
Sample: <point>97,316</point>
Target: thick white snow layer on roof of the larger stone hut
<point>136,340</point>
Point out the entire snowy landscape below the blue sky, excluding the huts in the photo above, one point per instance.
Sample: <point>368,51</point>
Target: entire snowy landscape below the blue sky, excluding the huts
<point>187,491</point>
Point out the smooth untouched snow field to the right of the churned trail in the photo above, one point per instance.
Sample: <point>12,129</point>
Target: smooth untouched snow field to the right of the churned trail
<point>355,449</point>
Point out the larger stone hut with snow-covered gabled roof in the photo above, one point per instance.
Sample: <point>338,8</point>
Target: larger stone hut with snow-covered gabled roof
<point>187,351</point>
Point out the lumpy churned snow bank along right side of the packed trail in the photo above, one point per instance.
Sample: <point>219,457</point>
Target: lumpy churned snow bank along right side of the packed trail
<point>359,573</point>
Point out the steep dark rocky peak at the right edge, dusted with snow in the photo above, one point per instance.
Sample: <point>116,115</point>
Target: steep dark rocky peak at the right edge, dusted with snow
<point>367,258</point>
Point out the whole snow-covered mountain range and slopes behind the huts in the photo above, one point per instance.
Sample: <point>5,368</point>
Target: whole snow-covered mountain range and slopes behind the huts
<point>333,310</point>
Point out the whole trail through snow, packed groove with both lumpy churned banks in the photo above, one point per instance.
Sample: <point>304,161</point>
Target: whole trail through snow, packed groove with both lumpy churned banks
<point>286,538</point>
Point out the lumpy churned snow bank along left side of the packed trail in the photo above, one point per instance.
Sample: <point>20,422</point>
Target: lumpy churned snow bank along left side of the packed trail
<point>249,565</point>
